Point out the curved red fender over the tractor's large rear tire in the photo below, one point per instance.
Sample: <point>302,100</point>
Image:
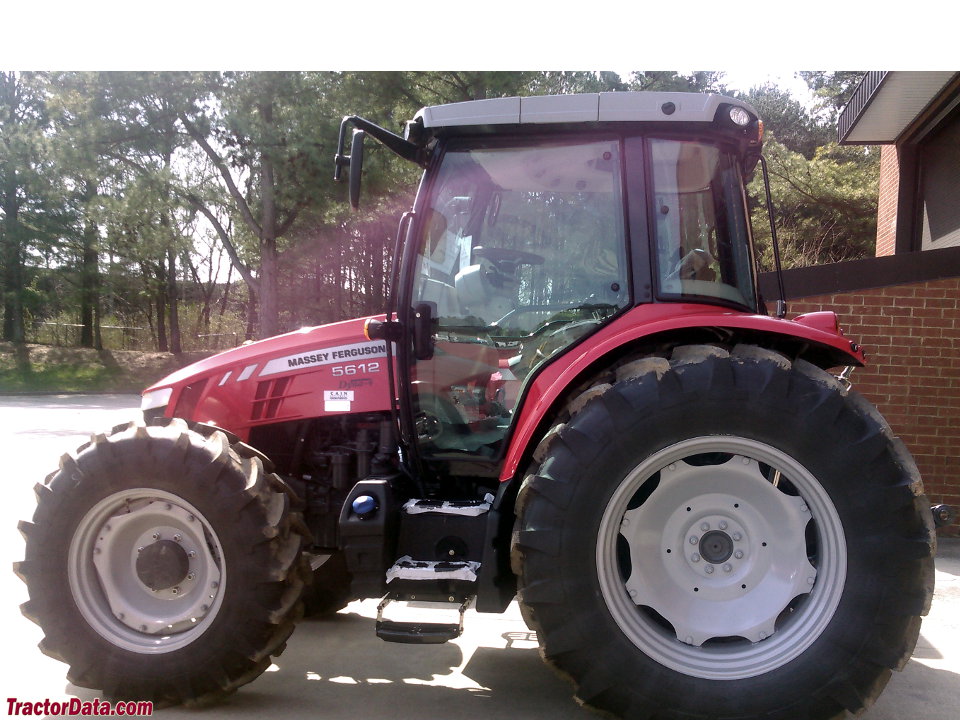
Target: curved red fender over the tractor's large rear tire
<point>815,336</point>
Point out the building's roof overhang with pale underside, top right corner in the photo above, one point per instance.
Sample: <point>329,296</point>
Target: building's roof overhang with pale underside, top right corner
<point>888,104</point>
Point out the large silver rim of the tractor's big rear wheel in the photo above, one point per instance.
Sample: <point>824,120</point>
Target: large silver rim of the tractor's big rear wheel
<point>713,577</point>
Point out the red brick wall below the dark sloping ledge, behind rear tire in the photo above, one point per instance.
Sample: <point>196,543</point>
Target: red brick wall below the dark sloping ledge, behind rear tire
<point>911,334</point>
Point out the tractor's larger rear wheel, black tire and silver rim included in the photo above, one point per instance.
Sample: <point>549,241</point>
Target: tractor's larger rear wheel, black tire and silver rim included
<point>724,535</point>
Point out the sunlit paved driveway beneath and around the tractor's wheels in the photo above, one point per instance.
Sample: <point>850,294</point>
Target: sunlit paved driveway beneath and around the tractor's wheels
<point>337,669</point>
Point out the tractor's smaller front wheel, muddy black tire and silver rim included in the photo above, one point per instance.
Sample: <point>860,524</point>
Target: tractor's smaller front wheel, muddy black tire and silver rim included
<point>162,565</point>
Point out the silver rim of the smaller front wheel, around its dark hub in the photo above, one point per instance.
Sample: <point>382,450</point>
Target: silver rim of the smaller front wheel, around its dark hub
<point>114,598</point>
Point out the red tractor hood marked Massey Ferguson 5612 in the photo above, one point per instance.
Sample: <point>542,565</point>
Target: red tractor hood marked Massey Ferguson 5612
<point>311,372</point>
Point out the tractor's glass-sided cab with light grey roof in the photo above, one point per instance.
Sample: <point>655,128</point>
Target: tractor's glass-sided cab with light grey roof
<point>541,220</point>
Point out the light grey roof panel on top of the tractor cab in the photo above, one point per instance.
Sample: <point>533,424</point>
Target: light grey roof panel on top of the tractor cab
<point>587,107</point>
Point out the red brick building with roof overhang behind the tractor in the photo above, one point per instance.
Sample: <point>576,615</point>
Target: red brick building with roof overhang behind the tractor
<point>904,304</point>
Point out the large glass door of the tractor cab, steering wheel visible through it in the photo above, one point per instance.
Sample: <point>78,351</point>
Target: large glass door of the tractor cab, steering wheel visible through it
<point>521,253</point>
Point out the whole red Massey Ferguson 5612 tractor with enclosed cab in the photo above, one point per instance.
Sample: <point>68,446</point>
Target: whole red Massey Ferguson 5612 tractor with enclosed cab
<point>577,399</point>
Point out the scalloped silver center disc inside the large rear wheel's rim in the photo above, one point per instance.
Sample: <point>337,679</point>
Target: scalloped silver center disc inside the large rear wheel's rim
<point>729,562</point>
